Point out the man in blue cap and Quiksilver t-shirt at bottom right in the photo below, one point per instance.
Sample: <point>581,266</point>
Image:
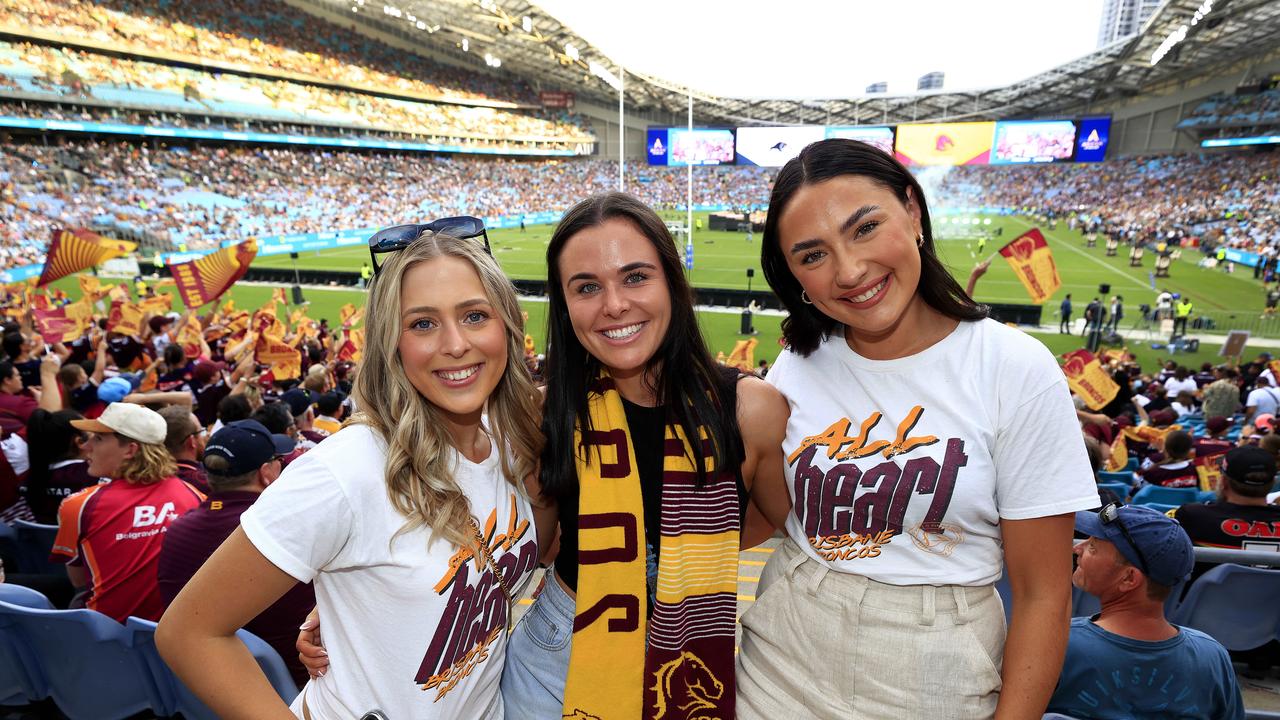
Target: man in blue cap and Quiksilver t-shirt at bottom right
<point>1130,662</point>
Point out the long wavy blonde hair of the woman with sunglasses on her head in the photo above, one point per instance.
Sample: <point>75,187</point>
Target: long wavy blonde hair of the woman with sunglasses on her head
<point>419,450</point>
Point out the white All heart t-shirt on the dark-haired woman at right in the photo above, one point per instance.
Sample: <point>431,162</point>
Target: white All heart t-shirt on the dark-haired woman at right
<point>995,436</point>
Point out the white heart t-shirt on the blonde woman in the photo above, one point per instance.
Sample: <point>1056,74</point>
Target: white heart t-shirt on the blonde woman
<point>405,634</point>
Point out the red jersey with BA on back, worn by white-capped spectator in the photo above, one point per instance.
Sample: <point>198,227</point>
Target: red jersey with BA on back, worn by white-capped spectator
<point>116,530</point>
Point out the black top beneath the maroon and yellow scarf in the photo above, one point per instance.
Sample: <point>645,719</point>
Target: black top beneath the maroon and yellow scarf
<point>647,427</point>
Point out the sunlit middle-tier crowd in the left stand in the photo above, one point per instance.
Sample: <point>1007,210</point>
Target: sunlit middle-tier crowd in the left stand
<point>67,74</point>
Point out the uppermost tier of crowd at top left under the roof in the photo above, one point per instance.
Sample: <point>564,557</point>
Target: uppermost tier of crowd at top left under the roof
<point>266,38</point>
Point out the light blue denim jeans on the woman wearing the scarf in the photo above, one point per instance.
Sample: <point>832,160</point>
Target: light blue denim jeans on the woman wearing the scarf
<point>537,667</point>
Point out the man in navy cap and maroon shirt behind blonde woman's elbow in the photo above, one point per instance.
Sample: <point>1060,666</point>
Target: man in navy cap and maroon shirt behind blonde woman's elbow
<point>243,459</point>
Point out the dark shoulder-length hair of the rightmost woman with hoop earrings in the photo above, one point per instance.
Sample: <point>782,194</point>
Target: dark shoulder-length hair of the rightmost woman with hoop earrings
<point>806,326</point>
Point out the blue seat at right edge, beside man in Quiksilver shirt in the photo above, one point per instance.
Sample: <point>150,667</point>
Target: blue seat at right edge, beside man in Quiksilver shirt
<point>1213,605</point>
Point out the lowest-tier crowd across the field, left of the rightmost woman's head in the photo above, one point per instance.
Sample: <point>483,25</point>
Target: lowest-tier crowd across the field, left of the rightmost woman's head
<point>262,192</point>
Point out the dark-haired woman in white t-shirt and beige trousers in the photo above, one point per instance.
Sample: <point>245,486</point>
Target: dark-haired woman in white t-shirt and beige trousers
<point>929,450</point>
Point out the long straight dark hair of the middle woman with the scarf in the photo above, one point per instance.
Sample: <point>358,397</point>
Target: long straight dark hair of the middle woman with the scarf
<point>688,385</point>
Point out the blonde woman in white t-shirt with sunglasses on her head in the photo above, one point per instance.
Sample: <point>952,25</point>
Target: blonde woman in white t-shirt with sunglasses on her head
<point>413,522</point>
